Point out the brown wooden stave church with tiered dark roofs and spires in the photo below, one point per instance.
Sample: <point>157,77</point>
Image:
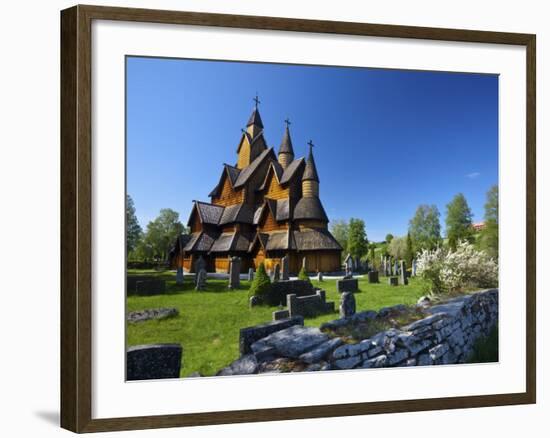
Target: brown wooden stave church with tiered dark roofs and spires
<point>264,207</point>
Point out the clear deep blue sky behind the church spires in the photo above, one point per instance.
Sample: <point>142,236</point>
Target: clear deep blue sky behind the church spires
<point>386,140</point>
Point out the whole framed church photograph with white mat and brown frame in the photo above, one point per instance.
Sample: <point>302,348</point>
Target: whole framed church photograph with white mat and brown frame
<point>269,218</point>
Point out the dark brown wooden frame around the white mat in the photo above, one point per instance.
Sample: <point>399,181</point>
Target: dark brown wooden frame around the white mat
<point>76,217</point>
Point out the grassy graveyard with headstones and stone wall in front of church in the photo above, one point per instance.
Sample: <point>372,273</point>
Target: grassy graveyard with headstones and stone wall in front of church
<point>302,327</point>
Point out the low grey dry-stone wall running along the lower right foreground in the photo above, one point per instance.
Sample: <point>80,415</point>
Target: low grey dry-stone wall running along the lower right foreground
<point>445,336</point>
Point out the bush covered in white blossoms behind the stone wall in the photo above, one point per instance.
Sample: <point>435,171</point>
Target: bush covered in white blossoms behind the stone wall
<point>451,271</point>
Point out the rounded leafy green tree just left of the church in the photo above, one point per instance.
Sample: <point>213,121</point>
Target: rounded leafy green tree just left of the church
<point>162,232</point>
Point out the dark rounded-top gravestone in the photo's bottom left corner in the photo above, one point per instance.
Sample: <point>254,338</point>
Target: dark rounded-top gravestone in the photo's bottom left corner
<point>156,361</point>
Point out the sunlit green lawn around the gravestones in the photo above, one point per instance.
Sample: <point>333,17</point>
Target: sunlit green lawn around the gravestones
<point>209,321</point>
